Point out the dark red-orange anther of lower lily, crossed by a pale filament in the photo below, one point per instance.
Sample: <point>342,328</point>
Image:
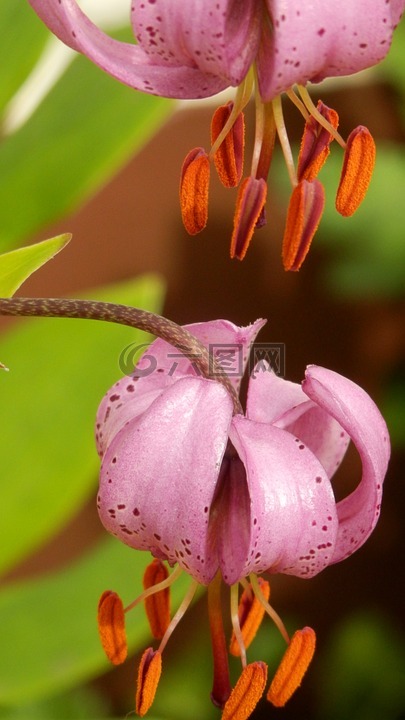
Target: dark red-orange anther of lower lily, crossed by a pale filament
<point>157,606</point>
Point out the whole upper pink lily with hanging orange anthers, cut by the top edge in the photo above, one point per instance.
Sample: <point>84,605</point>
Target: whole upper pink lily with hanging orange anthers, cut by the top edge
<point>197,48</point>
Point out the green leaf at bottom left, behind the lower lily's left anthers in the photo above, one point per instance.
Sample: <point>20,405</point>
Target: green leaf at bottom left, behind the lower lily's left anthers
<point>49,632</point>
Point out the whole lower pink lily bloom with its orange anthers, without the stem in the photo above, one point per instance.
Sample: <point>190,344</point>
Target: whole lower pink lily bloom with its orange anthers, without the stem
<point>226,496</point>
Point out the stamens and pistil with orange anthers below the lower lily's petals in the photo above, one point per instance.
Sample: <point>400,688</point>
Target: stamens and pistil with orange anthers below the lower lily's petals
<point>247,611</point>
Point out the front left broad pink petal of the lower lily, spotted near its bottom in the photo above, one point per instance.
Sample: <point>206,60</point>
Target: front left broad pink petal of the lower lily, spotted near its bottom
<point>159,475</point>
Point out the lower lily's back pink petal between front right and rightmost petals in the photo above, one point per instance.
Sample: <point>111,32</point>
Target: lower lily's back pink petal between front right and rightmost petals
<point>284,404</point>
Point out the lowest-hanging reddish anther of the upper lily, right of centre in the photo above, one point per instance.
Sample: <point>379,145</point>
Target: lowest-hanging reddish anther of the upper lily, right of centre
<point>304,213</point>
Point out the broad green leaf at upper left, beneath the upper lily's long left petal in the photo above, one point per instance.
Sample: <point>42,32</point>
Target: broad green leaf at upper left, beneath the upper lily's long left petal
<point>83,131</point>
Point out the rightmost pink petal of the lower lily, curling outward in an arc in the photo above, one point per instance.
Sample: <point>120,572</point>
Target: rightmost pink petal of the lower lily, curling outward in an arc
<point>358,415</point>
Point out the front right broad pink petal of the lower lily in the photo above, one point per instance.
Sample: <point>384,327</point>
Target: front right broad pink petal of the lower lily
<point>293,521</point>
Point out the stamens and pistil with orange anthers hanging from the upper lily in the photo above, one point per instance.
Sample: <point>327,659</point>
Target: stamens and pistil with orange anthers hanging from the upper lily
<point>307,199</point>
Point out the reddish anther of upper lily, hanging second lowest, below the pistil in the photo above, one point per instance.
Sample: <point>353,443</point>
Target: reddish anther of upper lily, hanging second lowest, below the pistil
<point>249,205</point>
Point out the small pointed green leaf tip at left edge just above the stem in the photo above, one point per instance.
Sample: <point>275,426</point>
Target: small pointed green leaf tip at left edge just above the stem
<point>17,265</point>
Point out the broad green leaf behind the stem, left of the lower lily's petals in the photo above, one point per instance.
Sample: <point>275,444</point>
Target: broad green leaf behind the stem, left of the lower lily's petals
<point>59,371</point>
